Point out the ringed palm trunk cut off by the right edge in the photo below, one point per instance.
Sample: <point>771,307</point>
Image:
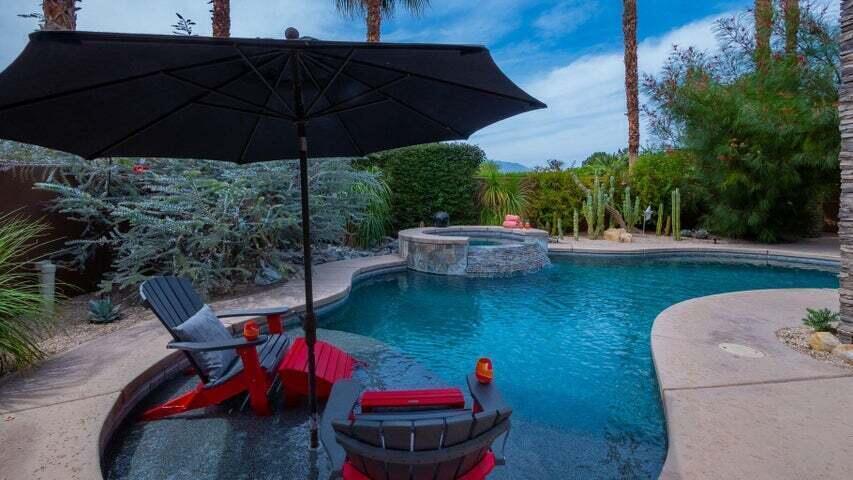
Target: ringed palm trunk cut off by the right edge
<point>845,224</point>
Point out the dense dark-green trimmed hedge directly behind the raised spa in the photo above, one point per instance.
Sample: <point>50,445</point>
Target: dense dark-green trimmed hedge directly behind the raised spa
<point>425,179</point>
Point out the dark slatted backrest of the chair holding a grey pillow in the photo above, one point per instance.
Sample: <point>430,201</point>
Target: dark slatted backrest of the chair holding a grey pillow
<point>173,300</point>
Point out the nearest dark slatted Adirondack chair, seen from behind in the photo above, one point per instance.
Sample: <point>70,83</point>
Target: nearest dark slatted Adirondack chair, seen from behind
<point>452,444</point>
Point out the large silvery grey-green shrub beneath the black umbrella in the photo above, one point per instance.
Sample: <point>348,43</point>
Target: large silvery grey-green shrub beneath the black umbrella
<point>217,223</point>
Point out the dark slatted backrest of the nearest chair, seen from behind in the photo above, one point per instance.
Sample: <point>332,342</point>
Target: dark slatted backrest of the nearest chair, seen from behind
<point>435,448</point>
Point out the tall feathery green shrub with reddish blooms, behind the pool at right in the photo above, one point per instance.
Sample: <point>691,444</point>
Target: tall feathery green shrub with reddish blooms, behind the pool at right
<point>765,140</point>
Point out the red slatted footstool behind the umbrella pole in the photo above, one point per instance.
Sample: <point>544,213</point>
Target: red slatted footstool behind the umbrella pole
<point>332,364</point>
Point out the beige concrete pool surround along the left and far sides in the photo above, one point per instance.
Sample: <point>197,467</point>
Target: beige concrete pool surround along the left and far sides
<point>62,418</point>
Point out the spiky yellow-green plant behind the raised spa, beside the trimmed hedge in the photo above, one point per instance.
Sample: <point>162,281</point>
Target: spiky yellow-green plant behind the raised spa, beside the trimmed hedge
<point>500,195</point>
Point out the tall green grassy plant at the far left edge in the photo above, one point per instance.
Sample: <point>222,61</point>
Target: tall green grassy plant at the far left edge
<point>21,306</point>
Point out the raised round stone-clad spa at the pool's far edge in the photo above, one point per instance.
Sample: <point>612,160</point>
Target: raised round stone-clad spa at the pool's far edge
<point>455,250</point>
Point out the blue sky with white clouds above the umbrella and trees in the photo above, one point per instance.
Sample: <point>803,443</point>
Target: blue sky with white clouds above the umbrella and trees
<point>567,53</point>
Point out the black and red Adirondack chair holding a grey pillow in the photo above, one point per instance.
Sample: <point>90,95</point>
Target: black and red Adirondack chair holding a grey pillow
<point>174,301</point>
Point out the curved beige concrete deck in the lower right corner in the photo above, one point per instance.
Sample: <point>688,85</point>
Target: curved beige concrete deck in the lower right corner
<point>779,416</point>
